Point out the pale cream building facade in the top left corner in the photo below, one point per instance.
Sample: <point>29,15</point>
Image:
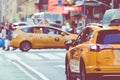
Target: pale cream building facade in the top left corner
<point>8,11</point>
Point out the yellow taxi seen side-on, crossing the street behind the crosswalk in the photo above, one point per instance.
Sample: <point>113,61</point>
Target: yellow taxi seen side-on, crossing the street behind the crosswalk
<point>39,36</point>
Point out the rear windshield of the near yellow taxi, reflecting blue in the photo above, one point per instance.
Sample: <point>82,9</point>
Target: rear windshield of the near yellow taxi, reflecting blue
<point>109,37</point>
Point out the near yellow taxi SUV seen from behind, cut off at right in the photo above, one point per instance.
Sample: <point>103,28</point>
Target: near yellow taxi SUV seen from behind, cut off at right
<point>95,52</point>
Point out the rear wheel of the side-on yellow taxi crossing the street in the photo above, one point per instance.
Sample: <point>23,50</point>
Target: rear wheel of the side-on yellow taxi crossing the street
<point>25,46</point>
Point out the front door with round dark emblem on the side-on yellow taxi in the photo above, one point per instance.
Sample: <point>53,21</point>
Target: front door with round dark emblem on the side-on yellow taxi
<point>55,38</point>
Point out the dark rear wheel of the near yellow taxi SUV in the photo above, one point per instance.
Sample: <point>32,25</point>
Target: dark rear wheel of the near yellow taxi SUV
<point>83,75</point>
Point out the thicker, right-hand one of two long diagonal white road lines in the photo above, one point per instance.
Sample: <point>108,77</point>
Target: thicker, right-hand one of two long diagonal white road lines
<point>33,70</point>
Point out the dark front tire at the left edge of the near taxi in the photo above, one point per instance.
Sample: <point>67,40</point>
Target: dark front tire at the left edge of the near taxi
<point>68,72</point>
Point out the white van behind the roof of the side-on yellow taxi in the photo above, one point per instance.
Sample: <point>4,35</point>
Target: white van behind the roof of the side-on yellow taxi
<point>52,18</point>
